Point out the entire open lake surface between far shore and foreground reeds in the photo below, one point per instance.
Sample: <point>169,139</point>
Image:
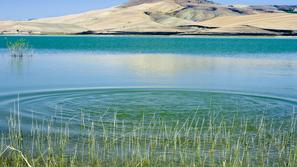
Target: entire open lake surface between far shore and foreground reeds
<point>135,75</point>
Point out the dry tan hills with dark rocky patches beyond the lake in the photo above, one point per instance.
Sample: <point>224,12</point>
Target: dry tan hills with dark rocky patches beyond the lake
<point>164,17</point>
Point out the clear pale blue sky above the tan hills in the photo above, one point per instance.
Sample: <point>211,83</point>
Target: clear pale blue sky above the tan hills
<point>28,9</point>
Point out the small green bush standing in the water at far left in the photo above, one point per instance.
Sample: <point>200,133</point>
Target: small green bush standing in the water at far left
<point>20,48</point>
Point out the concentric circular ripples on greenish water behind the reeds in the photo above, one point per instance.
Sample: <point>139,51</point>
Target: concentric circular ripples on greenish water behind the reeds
<point>135,104</point>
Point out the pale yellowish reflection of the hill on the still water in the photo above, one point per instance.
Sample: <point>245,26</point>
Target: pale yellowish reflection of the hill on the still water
<point>172,64</point>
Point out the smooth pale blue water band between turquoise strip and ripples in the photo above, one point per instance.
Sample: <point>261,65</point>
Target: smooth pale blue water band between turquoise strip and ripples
<point>273,75</point>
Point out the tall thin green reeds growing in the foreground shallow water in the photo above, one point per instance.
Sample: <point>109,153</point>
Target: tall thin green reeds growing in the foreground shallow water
<point>213,140</point>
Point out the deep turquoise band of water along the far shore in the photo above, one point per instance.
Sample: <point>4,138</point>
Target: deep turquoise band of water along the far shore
<point>171,45</point>
